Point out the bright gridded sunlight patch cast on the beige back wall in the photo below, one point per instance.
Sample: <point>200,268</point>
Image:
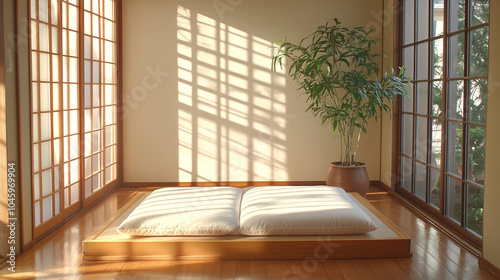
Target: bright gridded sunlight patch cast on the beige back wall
<point>232,108</point>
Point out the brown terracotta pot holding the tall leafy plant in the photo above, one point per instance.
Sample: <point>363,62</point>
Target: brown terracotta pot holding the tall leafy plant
<point>350,178</point>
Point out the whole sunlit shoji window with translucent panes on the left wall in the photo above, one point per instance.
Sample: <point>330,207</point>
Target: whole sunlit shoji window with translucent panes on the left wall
<point>61,122</point>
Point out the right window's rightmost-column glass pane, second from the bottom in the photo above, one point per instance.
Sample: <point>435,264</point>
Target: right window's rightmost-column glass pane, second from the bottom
<point>475,172</point>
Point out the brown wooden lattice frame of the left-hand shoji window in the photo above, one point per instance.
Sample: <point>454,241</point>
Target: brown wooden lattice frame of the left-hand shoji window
<point>68,209</point>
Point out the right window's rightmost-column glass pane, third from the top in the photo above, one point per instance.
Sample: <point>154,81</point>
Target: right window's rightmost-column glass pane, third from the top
<point>477,100</point>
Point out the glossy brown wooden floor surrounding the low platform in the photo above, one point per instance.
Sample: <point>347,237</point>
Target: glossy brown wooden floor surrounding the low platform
<point>435,256</point>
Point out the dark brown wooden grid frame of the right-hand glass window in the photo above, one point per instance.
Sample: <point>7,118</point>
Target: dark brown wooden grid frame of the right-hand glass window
<point>439,212</point>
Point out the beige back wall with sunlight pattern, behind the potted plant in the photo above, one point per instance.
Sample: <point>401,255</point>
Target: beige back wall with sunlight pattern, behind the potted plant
<point>200,101</point>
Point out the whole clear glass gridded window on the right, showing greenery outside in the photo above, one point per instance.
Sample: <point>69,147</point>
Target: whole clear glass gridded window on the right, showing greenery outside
<point>444,47</point>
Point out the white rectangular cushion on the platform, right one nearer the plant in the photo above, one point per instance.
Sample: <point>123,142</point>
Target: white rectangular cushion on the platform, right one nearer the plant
<point>301,210</point>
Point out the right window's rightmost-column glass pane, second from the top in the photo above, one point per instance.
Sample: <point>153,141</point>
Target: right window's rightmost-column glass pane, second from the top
<point>479,52</point>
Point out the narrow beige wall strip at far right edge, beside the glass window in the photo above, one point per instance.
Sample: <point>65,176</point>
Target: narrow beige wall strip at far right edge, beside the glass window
<point>491,244</point>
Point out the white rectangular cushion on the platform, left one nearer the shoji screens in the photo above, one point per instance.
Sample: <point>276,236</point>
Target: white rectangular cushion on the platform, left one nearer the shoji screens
<point>180,211</point>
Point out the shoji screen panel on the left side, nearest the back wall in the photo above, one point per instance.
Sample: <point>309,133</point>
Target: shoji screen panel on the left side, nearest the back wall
<point>100,87</point>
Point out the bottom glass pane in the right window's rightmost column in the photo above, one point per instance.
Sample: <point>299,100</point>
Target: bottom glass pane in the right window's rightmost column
<point>475,209</point>
